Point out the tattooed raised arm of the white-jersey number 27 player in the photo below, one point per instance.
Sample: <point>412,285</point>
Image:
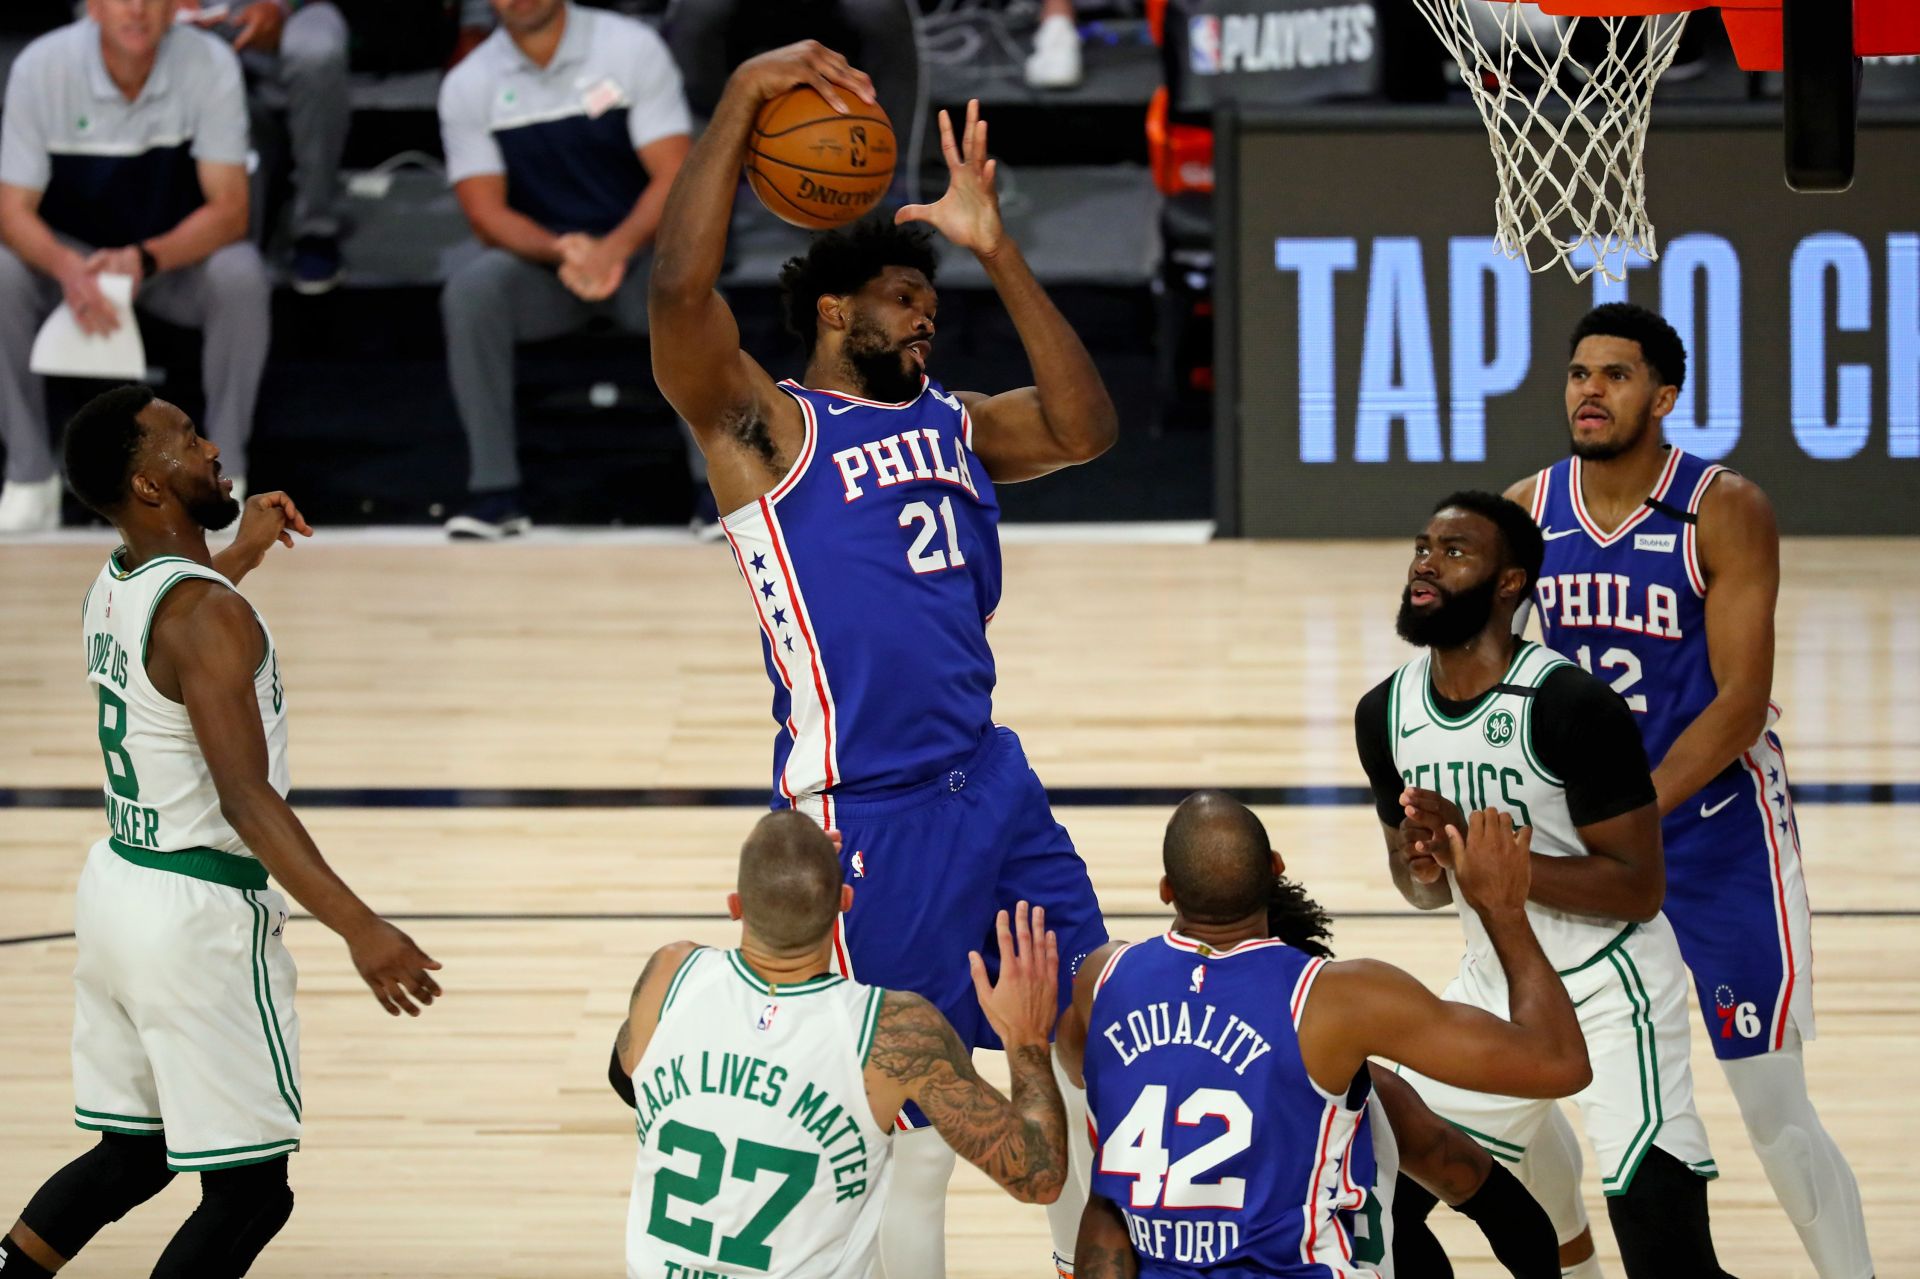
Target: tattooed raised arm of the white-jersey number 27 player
<point>1020,1144</point>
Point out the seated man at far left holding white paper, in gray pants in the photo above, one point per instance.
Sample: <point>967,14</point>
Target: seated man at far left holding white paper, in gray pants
<point>124,151</point>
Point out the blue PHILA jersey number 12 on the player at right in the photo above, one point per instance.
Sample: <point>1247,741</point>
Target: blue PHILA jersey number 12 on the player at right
<point>1631,606</point>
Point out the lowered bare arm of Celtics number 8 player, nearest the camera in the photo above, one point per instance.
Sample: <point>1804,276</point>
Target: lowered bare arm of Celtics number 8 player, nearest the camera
<point>208,642</point>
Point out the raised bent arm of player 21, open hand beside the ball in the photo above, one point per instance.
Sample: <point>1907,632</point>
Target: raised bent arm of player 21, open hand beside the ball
<point>1067,418</point>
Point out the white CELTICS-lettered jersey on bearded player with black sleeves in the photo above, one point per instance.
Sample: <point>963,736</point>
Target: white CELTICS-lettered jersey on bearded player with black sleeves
<point>1487,760</point>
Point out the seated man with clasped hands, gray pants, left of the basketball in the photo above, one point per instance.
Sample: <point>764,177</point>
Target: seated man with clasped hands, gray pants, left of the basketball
<point>564,133</point>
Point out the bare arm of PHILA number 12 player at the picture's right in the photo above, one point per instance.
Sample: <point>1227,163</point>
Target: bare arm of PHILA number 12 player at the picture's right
<point>1740,556</point>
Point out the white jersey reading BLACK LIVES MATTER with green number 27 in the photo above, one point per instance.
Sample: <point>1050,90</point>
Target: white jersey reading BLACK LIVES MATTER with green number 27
<point>759,1153</point>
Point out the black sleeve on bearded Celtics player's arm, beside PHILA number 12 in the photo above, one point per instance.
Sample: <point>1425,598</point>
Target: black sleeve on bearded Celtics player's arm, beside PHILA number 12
<point>1587,736</point>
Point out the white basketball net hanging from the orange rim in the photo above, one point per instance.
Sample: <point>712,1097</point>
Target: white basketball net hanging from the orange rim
<point>1566,103</point>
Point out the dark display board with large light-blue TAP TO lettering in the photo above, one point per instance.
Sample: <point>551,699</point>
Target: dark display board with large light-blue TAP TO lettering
<point>1378,350</point>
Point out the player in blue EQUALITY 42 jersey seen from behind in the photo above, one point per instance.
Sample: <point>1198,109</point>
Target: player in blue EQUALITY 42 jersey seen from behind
<point>1228,1074</point>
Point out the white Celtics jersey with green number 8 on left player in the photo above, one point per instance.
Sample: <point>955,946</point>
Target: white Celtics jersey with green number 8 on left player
<point>158,790</point>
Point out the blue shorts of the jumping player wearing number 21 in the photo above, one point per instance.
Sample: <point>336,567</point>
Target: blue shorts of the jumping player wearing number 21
<point>930,869</point>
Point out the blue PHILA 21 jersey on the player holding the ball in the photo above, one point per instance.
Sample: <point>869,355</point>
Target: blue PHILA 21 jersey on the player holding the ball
<point>875,569</point>
